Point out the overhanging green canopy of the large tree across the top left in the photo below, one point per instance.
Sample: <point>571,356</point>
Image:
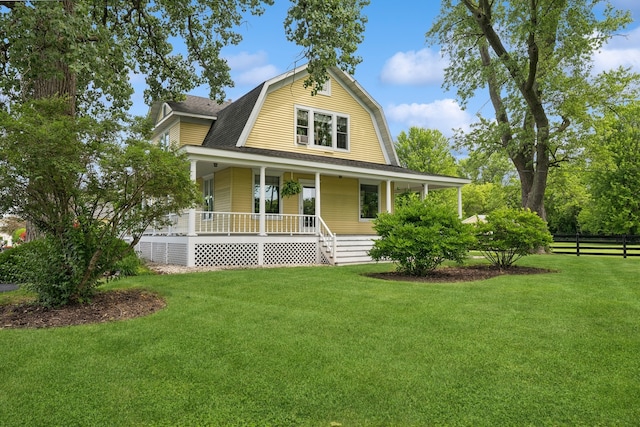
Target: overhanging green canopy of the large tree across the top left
<point>87,50</point>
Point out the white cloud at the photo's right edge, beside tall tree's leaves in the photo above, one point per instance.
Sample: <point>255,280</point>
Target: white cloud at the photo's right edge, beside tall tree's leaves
<point>620,51</point>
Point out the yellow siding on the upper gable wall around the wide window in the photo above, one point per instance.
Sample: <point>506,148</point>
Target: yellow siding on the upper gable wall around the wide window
<point>277,118</point>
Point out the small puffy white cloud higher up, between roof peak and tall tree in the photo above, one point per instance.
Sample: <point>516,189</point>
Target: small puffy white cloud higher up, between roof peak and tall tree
<point>414,68</point>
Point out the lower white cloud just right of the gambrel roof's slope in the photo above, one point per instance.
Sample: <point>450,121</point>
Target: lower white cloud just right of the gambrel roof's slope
<point>443,115</point>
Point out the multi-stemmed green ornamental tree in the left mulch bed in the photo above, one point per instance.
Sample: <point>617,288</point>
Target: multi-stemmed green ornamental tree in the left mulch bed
<point>85,185</point>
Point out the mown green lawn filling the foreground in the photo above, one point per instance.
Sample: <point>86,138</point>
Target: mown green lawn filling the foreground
<point>316,346</point>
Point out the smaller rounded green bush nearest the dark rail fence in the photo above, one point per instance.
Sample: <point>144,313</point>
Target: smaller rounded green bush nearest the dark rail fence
<point>510,234</point>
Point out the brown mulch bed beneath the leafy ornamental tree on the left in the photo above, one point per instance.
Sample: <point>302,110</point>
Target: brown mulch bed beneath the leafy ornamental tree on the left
<point>104,307</point>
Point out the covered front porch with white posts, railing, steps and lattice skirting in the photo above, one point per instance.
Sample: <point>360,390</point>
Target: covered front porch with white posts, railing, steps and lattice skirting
<point>246,222</point>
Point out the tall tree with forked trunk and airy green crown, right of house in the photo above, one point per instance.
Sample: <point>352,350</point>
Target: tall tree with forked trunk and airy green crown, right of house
<point>535,59</point>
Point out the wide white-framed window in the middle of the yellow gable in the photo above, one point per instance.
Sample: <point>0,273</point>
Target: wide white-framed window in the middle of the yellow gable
<point>322,129</point>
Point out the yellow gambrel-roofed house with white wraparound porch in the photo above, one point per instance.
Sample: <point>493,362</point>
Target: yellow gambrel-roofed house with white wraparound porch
<point>286,177</point>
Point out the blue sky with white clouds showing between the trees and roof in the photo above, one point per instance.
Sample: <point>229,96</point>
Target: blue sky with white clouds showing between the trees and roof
<point>398,70</point>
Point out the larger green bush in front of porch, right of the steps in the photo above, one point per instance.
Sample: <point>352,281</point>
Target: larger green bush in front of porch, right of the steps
<point>420,236</point>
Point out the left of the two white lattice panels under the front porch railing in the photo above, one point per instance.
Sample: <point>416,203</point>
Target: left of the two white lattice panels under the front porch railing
<point>226,254</point>
